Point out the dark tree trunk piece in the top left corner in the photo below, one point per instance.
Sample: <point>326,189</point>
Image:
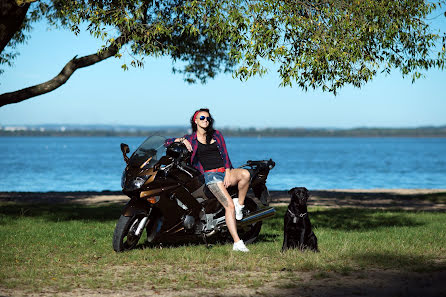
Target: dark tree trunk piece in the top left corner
<point>11,19</point>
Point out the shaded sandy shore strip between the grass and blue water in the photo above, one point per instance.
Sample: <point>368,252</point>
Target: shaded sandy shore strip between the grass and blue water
<point>408,199</point>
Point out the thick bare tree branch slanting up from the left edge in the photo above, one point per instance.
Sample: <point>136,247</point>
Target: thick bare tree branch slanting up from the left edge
<point>63,76</point>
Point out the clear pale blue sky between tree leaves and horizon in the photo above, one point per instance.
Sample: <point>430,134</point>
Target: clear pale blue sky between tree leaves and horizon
<point>105,94</point>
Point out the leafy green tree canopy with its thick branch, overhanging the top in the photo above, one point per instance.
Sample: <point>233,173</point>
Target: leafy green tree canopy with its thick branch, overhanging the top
<point>323,44</point>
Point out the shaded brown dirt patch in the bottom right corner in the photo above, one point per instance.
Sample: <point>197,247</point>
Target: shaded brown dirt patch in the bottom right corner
<point>363,283</point>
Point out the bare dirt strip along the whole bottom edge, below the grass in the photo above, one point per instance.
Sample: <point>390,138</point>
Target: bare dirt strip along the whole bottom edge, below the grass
<point>384,283</point>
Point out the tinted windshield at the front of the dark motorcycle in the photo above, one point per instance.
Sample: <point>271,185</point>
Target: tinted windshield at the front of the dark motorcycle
<point>148,153</point>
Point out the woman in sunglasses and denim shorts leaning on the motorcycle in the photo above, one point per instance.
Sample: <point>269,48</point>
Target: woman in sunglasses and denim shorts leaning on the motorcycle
<point>210,157</point>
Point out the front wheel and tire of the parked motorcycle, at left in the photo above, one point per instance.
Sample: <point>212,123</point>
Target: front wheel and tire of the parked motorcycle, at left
<point>124,237</point>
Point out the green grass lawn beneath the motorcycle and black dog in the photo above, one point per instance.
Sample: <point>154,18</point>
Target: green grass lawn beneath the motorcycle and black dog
<point>66,247</point>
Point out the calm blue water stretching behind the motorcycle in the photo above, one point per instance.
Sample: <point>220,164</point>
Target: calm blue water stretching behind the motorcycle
<point>95,163</point>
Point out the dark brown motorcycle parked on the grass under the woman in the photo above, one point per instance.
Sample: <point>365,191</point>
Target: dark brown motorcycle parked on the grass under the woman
<point>169,199</point>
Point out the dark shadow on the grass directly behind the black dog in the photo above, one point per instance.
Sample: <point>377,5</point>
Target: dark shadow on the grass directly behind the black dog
<point>351,219</point>
